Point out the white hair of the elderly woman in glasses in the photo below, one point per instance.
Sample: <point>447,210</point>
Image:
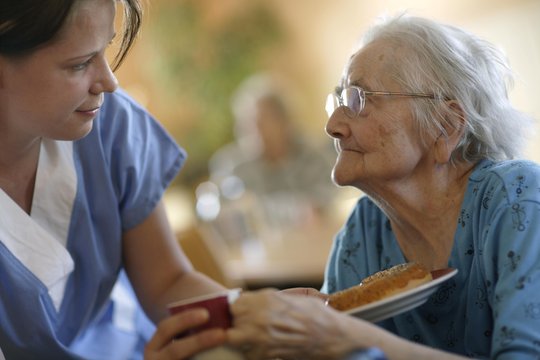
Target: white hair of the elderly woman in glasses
<point>457,65</point>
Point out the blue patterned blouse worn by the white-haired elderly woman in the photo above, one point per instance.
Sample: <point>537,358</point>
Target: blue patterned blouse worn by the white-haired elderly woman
<point>491,308</point>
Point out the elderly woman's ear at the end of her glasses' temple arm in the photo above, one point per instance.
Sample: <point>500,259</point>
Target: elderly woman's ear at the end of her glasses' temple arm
<point>454,127</point>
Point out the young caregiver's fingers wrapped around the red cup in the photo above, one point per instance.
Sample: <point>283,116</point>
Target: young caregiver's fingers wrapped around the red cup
<point>163,344</point>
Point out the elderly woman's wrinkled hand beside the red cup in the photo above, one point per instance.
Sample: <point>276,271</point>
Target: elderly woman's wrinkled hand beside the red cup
<point>271,324</point>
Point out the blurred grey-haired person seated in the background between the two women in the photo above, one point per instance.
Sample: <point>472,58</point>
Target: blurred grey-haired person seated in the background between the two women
<point>272,158</point>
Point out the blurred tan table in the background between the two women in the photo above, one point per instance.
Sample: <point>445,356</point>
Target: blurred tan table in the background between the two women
<point>296,256</point>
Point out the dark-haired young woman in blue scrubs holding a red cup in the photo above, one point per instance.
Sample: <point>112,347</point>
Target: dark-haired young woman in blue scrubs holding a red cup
<point>82,172</point>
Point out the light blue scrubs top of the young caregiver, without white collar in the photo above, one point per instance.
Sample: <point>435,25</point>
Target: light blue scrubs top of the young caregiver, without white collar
<point>123,167</point>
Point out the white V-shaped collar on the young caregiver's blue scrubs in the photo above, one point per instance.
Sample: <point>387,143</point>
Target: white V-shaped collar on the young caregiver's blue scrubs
<point>39,240</point>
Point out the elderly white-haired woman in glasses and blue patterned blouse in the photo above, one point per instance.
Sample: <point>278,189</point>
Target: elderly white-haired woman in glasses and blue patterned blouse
<point>423,126</point>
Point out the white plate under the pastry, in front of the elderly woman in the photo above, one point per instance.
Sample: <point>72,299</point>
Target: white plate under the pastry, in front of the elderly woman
<point>407,300</point>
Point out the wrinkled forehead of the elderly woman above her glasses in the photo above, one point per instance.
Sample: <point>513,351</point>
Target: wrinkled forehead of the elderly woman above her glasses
<point>371,66</point>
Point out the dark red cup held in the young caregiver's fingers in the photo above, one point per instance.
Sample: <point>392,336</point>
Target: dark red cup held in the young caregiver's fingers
<point>217,305</point>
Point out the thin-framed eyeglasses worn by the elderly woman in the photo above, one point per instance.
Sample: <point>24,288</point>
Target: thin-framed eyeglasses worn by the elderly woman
<point>354,98</point>
